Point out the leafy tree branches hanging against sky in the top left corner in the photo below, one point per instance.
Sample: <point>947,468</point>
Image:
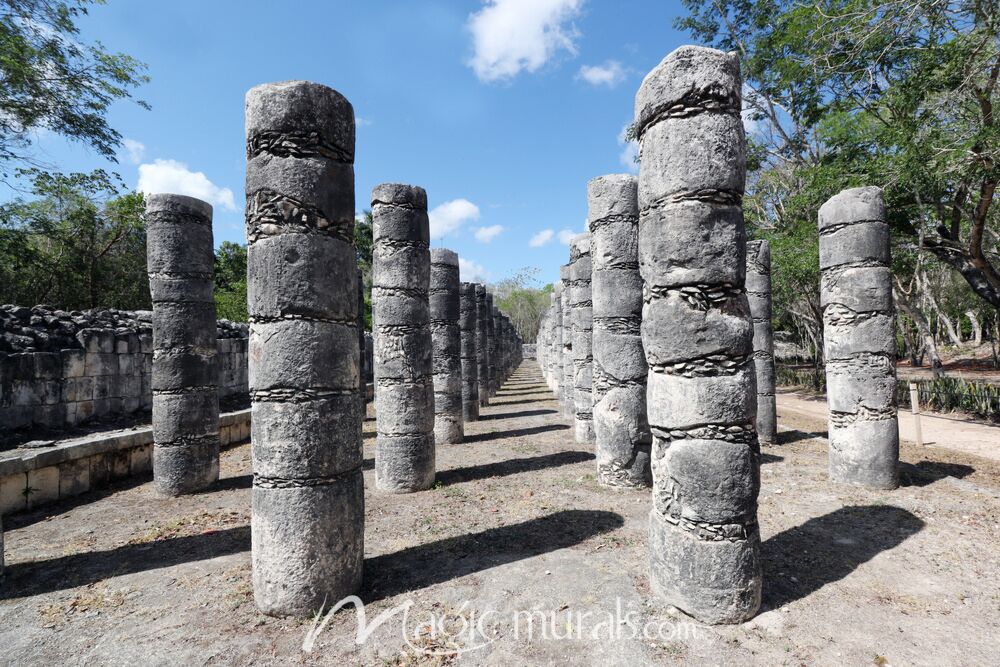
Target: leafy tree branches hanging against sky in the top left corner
<point>53,81</point>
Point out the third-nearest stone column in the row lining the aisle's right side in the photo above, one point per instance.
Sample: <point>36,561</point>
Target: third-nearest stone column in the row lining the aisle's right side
<point>583,321</point>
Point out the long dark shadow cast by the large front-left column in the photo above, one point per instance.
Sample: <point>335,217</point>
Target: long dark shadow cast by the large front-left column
<point>436,562</point>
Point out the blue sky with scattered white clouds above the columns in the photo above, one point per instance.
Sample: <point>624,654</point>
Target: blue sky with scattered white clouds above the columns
<point>501,109</point>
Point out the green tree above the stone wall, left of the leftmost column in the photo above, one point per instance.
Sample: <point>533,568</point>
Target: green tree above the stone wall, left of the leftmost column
<point>80,243</point>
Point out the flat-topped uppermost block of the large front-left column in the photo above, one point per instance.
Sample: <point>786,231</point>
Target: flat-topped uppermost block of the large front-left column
<point>299,119</point>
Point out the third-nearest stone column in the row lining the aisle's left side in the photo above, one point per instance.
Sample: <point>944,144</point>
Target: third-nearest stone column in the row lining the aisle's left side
<point>446,337</point>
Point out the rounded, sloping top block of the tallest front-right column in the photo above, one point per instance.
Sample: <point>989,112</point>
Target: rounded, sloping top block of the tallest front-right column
<point>689,81</point>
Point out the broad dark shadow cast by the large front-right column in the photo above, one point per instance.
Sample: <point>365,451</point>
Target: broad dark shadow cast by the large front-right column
<point>828,548</point>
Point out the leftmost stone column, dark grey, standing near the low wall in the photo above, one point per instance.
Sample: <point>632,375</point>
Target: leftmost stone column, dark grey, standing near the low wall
<point>180,258</point>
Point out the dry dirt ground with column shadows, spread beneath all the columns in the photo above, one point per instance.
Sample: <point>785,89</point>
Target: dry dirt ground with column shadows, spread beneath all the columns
<point>518,557</point>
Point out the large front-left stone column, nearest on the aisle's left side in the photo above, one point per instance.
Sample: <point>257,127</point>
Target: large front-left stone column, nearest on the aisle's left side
<point>307,524</point>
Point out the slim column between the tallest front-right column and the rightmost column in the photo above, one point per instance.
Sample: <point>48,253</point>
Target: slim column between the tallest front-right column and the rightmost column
<point>759,296</point>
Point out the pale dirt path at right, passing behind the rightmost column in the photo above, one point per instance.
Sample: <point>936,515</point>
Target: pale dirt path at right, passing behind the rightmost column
<point>948,431</point>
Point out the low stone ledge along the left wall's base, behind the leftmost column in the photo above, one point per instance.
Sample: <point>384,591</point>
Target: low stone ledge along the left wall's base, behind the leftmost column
<point>30,478</point>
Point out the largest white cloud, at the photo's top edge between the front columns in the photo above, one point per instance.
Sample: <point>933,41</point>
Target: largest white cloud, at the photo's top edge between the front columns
<point>514,35</point>
